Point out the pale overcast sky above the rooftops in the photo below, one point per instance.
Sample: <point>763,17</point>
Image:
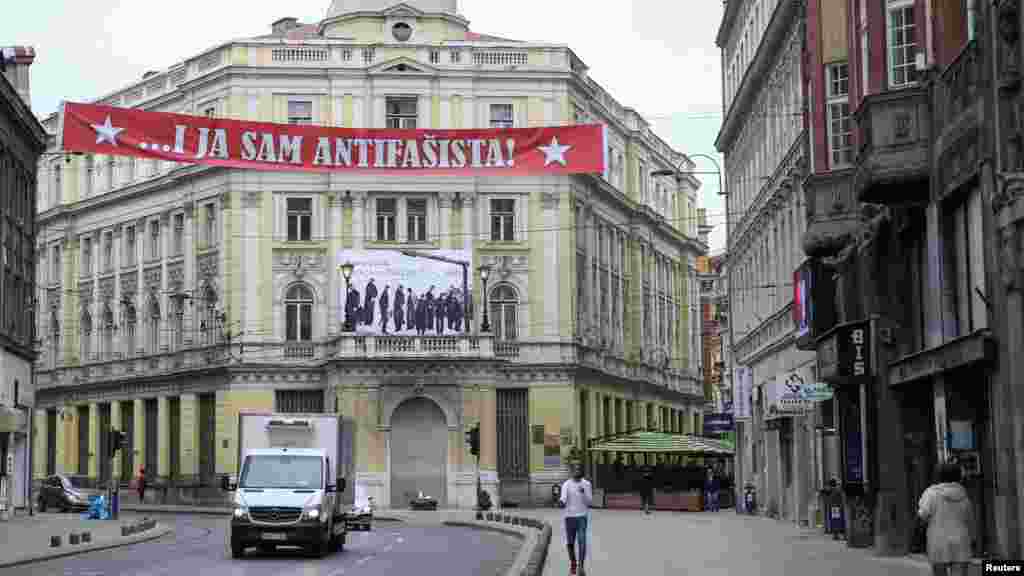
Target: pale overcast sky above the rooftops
<point>656,57</point>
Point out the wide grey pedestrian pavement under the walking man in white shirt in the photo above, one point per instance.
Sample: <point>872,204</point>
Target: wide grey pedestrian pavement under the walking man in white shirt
<point>712,545</point>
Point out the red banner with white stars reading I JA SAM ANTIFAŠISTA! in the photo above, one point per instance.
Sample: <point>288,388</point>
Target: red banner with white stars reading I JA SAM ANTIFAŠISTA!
<point>263,146</point>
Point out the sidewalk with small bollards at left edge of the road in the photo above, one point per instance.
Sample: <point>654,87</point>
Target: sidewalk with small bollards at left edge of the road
<point>27,540</point>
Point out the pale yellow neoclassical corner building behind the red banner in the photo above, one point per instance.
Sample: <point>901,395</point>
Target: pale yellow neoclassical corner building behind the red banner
<point>173,297</point>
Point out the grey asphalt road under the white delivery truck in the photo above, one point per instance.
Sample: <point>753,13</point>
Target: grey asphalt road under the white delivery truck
<point>198,548</point>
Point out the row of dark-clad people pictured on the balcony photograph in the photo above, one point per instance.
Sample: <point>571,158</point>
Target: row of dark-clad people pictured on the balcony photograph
<point>402,311</point>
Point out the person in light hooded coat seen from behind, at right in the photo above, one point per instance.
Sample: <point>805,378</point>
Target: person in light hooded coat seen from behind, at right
<point>948,512</point>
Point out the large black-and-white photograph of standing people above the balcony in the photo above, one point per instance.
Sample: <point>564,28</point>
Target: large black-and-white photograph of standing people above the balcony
<point>406,293</point>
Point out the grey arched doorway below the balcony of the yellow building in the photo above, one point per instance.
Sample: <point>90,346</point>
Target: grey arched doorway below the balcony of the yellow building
<point>419,452</point>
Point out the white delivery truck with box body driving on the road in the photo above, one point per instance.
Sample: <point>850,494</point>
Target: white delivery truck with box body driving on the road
<point>290,482</point>
